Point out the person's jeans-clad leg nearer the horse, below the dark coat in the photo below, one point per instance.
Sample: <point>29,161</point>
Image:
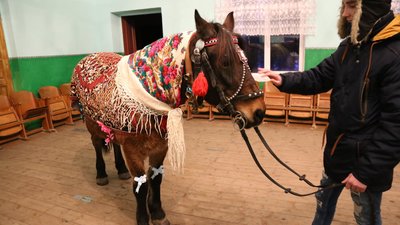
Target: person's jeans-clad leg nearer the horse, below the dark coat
<point>326,202</point>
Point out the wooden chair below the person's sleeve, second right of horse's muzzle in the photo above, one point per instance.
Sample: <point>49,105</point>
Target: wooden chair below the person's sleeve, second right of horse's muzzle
<point>301,109</point>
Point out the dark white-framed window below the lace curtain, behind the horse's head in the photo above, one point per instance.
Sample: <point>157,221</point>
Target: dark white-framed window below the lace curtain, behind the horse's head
<point>282,53</point>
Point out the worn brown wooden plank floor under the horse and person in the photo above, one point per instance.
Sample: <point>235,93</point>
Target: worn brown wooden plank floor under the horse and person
<point>50,180</point>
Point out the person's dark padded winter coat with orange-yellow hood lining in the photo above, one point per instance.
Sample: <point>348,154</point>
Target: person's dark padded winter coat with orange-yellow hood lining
<point>363,135</point>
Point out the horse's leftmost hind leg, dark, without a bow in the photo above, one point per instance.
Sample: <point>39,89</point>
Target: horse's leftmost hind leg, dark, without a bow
<point>101,177</point>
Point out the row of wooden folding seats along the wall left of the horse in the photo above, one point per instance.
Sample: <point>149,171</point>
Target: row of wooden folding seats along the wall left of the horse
<point>51,109</point>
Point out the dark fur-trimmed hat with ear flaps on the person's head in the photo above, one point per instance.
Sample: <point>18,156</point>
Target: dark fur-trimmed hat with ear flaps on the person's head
<point>368,12</point>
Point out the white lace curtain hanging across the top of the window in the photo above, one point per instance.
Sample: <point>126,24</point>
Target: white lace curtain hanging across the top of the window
<point>274,17</point>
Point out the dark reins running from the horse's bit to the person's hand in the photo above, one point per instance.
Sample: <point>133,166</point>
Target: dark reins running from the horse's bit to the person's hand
<point>266,174</point>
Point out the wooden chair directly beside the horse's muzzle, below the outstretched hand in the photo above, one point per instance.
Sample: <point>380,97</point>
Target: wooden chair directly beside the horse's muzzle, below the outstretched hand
<point>275,103</point>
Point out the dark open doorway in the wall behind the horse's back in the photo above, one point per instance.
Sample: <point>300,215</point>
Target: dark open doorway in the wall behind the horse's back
<point>140,30</point>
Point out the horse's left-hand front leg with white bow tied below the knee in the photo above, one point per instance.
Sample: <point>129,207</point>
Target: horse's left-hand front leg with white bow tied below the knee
<point>134,158</point>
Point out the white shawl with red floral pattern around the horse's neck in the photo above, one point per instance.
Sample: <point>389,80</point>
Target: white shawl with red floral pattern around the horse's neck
<point>159,67</point>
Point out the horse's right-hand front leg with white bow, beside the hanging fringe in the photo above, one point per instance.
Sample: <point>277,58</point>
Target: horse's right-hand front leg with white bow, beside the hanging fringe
<point>155,175</point>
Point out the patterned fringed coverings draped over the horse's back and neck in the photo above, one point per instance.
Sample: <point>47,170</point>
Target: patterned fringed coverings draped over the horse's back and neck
<point>138,93</point>
